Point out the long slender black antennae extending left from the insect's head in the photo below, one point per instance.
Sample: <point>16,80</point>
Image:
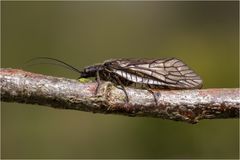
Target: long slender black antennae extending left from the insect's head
<point>56,60</point>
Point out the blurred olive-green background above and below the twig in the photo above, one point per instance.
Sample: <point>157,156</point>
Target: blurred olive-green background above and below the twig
<point>202,34</point>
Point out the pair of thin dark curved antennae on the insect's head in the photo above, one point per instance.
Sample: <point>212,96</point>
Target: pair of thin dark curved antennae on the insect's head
<point>59,63</point>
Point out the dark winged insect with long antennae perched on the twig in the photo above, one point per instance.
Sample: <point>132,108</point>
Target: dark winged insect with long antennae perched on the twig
<point>150,74</point>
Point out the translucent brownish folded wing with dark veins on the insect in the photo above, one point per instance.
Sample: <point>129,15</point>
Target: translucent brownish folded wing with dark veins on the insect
<point>170,72</point>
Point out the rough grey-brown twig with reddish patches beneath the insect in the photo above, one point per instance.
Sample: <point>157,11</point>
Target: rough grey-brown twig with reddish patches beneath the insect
<point>180,105</point>
